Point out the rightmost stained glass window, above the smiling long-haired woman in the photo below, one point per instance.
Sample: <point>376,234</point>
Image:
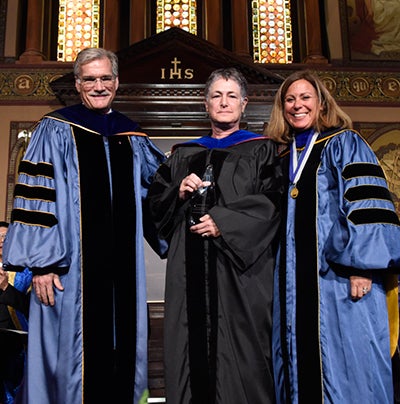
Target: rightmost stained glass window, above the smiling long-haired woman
<point>272,31</point>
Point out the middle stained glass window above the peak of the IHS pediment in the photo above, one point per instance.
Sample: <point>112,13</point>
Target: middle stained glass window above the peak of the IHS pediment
<point>177,13</point>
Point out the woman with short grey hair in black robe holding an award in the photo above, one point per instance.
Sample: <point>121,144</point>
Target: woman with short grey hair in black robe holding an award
<point>218,296</point>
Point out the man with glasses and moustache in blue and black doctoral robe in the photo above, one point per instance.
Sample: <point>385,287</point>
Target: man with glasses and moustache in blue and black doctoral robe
<point>78,223</point>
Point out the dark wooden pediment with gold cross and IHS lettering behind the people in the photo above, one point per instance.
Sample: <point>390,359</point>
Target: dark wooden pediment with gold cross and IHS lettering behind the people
<point>162,80</point>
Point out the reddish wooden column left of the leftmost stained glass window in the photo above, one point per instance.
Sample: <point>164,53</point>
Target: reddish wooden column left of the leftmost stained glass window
<point>34,33</point>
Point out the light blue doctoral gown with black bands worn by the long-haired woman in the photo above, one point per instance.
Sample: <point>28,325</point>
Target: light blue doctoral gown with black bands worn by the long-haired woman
<point>342,223</point>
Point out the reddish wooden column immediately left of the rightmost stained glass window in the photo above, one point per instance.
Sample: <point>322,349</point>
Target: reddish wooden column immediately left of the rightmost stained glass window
<point>240,28</point>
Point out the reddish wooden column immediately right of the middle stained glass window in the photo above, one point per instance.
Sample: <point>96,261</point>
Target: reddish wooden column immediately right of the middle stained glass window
<point>213,22</point>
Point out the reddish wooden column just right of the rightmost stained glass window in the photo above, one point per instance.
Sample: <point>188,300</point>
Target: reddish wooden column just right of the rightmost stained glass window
<point>313,33</point>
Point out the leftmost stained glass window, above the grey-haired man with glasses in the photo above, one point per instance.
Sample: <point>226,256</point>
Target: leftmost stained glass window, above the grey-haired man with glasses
<point>78,27</point>
